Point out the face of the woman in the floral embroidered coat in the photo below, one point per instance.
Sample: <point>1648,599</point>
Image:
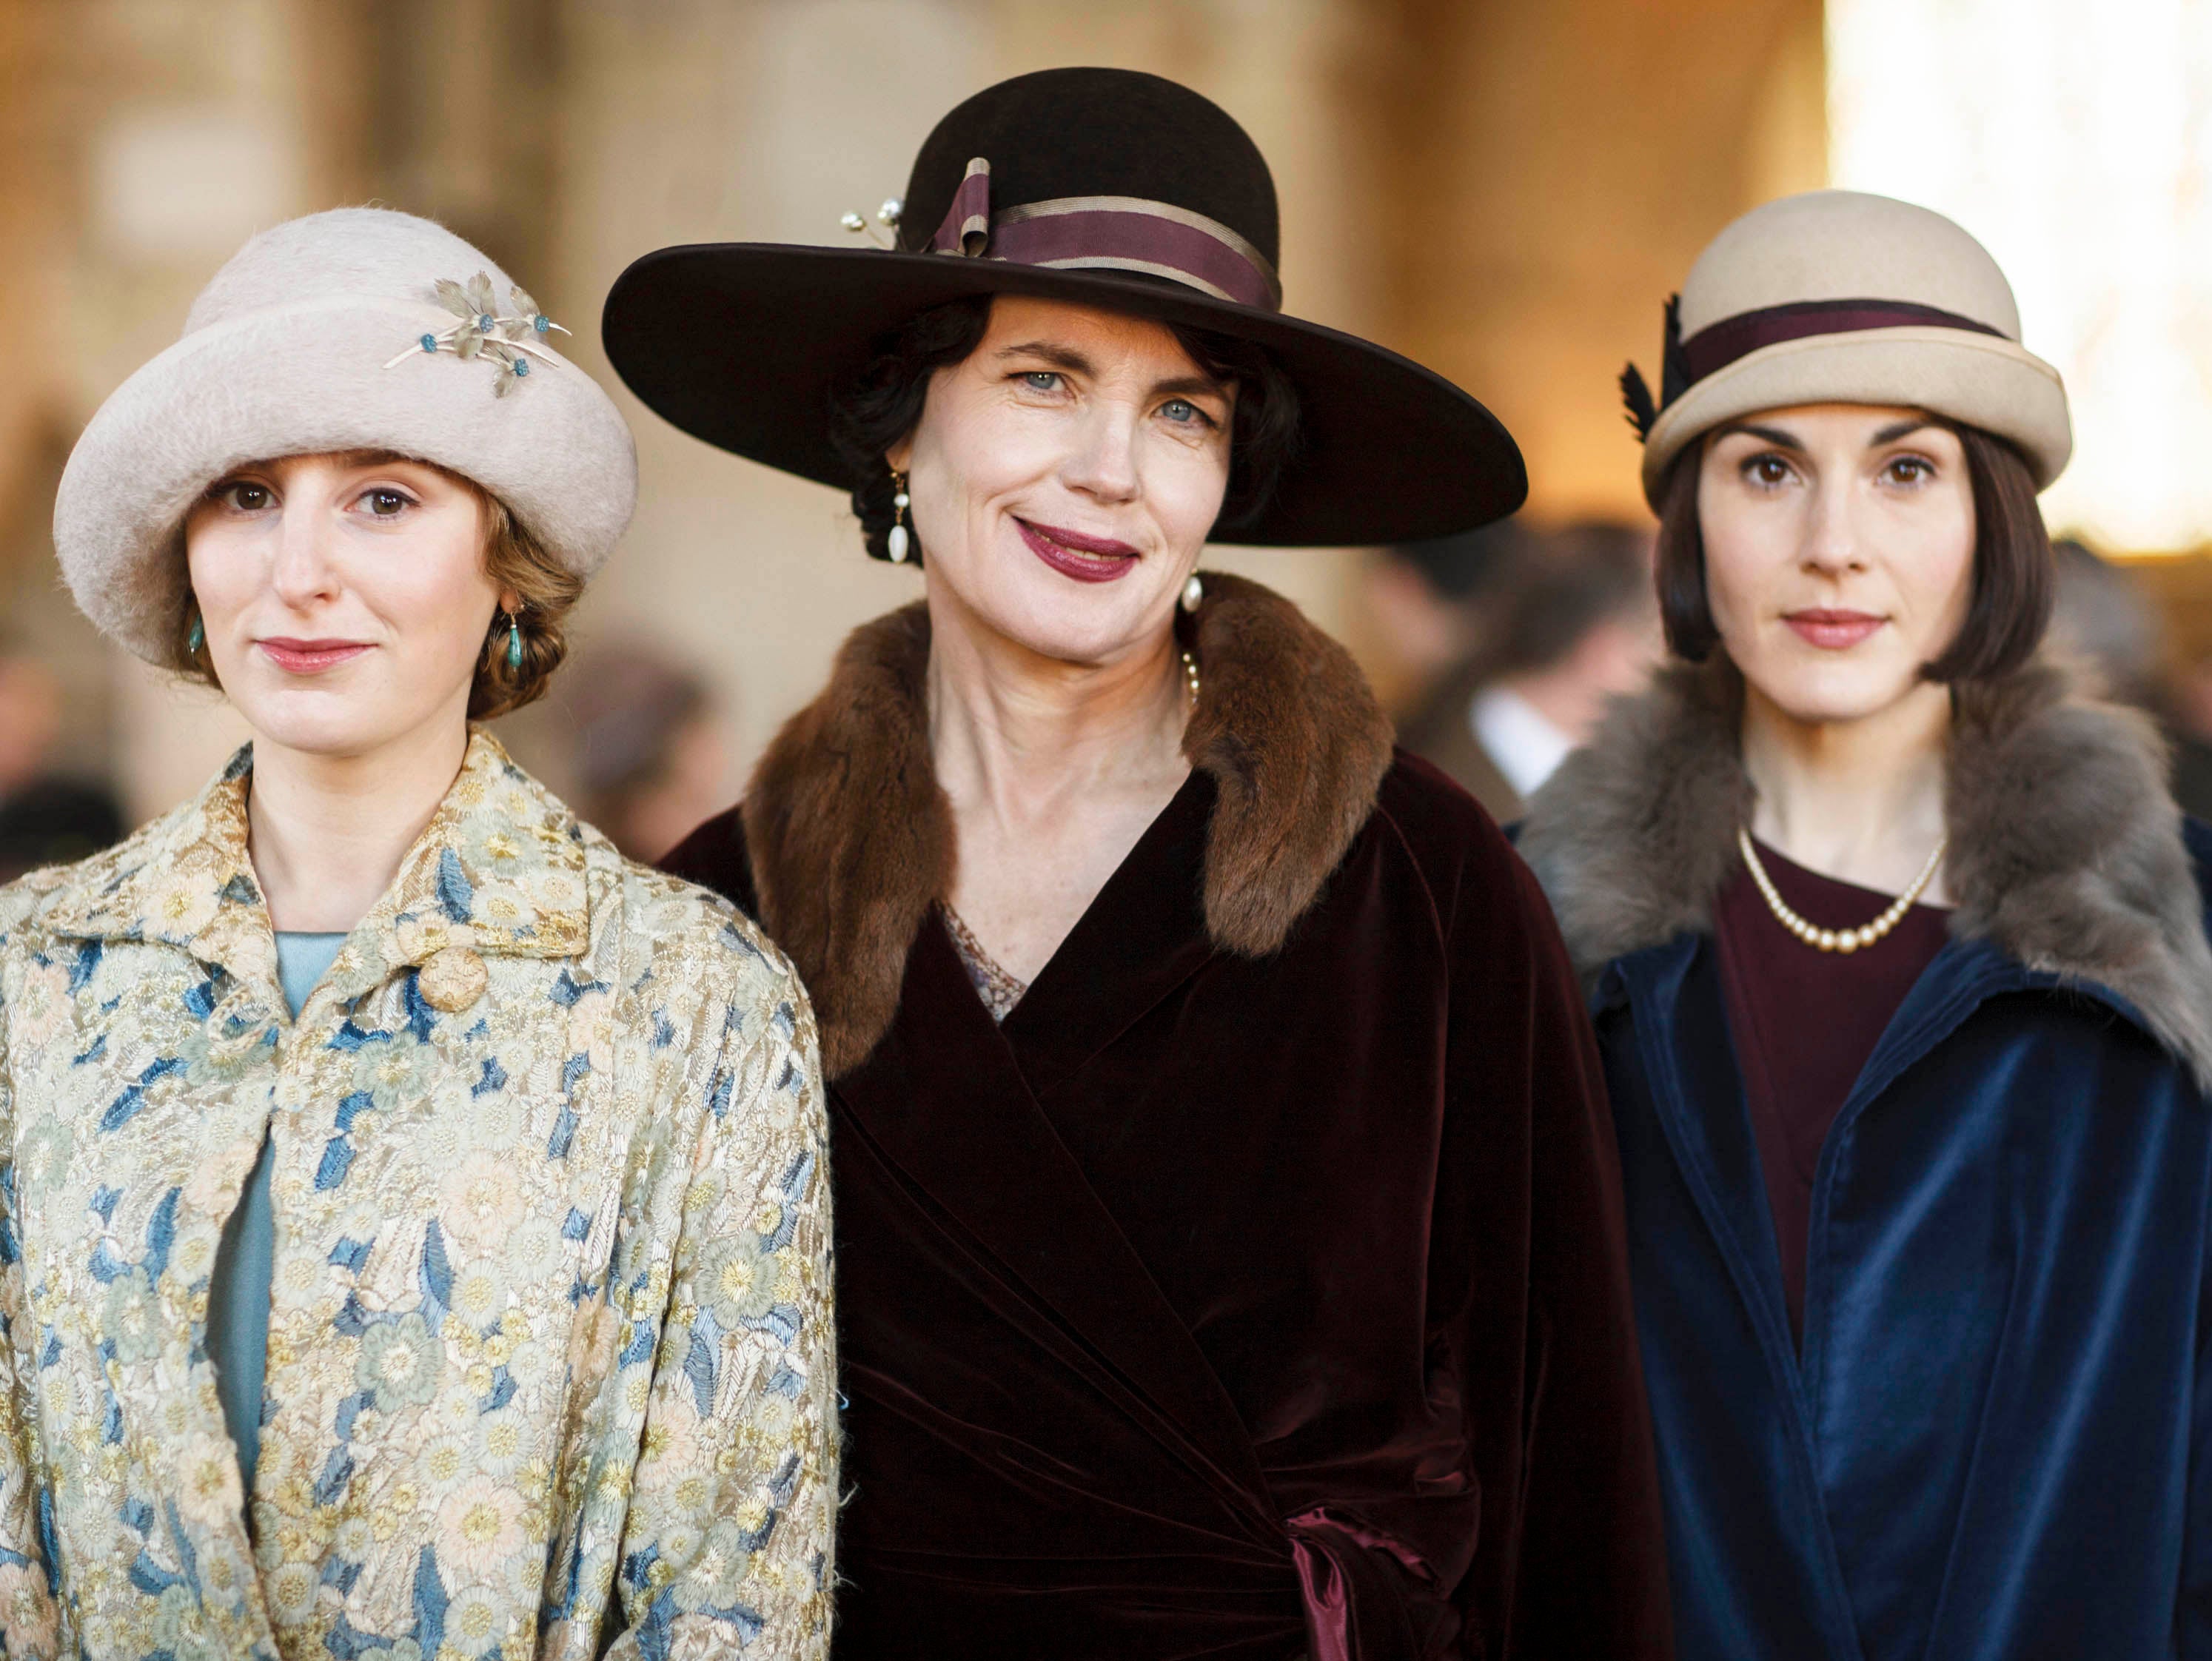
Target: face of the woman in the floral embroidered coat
<point>344,598</point>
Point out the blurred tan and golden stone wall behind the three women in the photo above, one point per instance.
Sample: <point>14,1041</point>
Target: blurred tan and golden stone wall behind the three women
<point>1505,189</point>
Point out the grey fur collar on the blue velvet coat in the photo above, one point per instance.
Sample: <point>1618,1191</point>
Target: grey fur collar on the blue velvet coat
<point>2065,842</point>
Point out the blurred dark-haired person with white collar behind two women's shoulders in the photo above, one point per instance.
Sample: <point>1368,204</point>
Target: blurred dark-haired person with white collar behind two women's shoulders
<point>1569,623</point>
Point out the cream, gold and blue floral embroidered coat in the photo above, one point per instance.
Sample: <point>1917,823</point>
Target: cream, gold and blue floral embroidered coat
<point>552,1313</point>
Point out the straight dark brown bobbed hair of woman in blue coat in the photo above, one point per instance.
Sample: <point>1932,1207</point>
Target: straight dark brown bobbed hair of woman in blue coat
<point>2014,570</point>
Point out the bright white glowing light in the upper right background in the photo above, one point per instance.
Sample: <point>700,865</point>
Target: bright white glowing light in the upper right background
<point>2076,140</point>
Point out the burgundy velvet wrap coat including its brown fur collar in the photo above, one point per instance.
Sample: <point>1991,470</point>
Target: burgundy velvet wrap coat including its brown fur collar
<point>1258,1291</point>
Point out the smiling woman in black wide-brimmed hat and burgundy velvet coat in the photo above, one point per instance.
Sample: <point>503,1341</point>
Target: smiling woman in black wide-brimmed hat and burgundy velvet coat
<point>1231,1251</point>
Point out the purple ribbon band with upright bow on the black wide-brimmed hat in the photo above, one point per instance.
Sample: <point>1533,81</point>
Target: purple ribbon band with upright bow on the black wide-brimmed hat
<point>1109,233</point>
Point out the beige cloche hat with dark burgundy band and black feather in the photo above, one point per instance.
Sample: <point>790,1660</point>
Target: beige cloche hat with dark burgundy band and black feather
<point>1846,297</point>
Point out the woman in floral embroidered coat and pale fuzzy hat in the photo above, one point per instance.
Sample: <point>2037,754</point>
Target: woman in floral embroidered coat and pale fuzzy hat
<point>415,1231</point>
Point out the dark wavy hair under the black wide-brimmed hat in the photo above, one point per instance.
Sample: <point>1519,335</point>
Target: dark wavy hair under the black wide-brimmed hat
<point>881,404</point>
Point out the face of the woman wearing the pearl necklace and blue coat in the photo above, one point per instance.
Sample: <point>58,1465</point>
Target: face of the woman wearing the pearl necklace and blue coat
<point>1839,554</point>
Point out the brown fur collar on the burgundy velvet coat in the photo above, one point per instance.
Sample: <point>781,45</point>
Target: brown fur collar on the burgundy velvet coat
<point>853,842</point>
